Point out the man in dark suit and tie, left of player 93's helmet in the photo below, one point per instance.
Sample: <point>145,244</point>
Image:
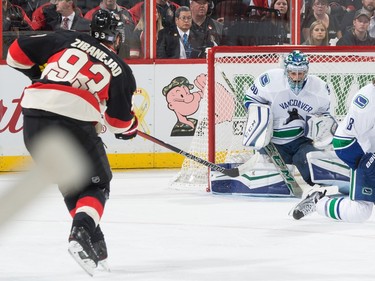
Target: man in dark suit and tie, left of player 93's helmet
<point>69,19</point>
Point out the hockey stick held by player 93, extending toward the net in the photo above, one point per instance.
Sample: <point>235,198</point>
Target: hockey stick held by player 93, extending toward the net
<point>233,172</point>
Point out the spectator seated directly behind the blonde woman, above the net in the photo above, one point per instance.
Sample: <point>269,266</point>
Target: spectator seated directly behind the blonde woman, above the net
<point>319,11</point>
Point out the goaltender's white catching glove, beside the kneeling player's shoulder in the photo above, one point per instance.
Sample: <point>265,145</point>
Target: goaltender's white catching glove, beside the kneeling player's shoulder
<point>320,128</point>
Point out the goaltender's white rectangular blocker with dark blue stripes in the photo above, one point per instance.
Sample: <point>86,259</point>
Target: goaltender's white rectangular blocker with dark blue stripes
<point>259,126</point>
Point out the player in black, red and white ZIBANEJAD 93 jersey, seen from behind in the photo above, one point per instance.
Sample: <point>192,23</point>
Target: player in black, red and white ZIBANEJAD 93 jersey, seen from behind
<point>83,82</point>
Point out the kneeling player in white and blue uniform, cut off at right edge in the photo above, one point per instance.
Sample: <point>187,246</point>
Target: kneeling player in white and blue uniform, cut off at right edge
<point>354,143</point>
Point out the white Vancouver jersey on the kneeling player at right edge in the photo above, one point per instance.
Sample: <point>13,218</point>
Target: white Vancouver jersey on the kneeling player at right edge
<point>355,135</point>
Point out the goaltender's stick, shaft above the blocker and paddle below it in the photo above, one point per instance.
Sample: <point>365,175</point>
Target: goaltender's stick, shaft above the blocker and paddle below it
<point>275,156</point>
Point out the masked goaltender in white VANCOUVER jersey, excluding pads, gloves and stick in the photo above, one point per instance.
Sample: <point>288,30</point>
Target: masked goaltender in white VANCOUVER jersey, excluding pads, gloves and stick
<point>292,96</point>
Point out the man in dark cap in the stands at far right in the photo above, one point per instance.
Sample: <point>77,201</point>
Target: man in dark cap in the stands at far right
<point>358,35</point>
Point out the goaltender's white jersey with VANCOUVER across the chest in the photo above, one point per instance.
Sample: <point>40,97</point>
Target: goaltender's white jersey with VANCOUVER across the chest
<point>288,110</point>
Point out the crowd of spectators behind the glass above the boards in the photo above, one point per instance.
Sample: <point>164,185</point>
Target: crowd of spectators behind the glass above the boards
<point>186,28</point>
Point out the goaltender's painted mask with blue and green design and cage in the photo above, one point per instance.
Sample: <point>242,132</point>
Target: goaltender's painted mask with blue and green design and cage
<point>296,68</point>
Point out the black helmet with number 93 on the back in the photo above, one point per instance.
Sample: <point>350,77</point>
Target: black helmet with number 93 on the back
<point>105,26</point>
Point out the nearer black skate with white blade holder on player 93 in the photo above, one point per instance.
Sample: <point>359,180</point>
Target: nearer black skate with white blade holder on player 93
<point>82,250</point>
